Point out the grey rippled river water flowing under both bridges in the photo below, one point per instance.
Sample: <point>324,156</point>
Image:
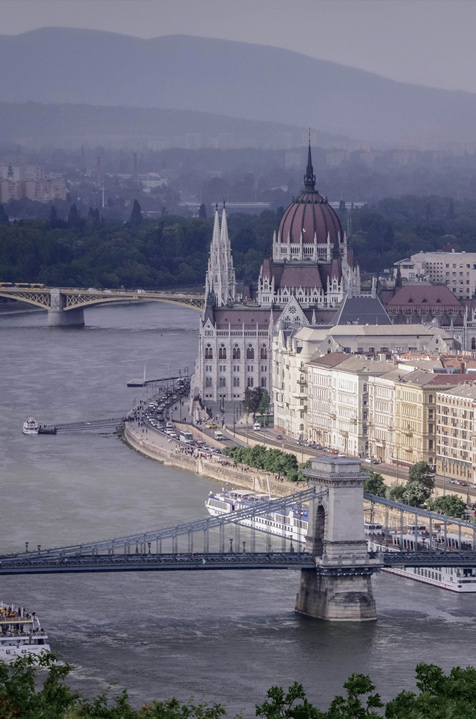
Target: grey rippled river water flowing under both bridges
<point>224,636</point>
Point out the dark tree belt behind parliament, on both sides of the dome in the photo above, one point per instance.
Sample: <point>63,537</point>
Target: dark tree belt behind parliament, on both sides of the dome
<point>172,251</point>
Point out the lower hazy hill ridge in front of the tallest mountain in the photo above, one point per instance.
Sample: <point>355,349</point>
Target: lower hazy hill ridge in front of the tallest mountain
<point>35,123</point>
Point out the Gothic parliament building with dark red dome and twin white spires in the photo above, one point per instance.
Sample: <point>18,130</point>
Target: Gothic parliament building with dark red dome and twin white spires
<point>310,273</point>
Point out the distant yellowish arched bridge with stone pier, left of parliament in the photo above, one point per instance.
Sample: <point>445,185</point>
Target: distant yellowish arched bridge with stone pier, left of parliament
<point>65,305</point>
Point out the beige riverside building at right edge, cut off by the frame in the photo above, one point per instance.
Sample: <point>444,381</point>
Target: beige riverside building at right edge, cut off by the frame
<point>455,456</point>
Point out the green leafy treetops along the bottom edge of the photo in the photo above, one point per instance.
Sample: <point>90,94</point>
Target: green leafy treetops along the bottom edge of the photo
<point>26,694</point>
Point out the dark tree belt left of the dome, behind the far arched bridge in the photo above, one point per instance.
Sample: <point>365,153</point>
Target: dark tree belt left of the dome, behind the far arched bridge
<point>97,252</point>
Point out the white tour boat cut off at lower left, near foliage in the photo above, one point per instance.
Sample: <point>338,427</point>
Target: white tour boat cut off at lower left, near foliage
<point>20,633</point>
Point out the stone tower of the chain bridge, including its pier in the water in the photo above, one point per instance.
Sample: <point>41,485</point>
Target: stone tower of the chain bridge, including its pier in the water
<point>339,588</point>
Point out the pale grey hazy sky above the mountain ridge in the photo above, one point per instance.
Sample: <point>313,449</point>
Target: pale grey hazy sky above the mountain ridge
<point>429,42</point>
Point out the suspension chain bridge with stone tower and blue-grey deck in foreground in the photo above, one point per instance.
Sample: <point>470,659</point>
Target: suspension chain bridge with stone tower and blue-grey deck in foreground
<point>337,552</point>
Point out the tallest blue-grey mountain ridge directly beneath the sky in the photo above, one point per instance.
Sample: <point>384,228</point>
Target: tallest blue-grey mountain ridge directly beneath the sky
<point>254,82</point>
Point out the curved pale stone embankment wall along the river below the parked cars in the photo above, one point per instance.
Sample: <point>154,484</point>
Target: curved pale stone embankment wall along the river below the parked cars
<point>157,446</point>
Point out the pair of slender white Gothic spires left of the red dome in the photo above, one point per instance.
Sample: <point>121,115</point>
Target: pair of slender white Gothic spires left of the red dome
<point>220,280</point>
